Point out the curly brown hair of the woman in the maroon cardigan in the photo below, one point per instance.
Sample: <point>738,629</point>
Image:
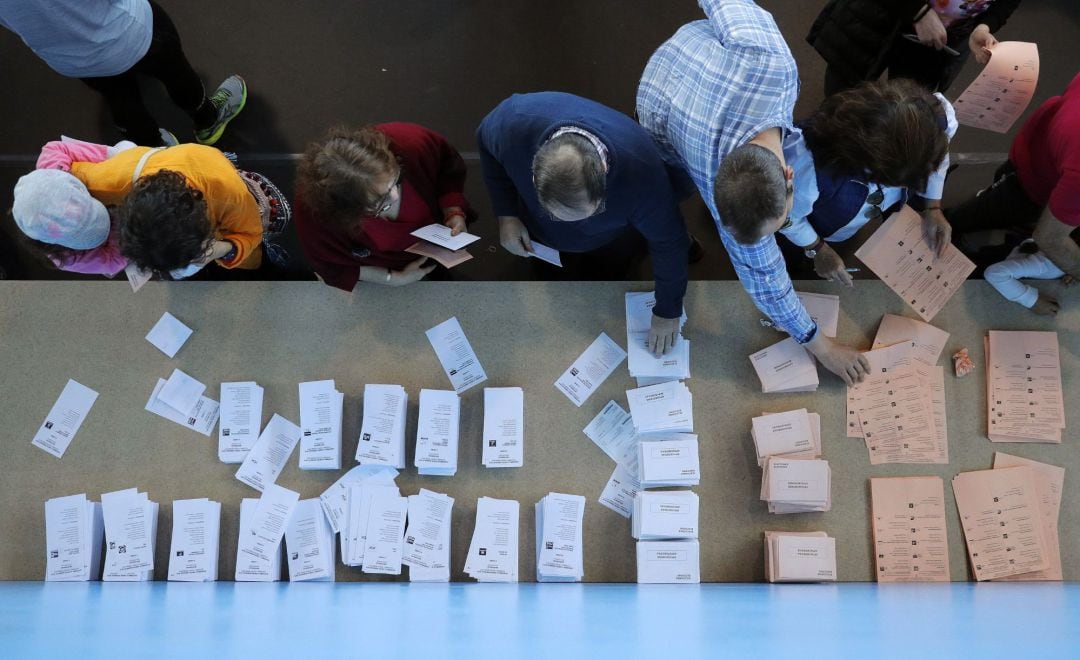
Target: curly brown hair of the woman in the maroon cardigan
<point>337,176</point>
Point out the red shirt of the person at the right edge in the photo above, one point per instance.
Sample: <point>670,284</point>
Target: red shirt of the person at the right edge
<point>1047,155</point>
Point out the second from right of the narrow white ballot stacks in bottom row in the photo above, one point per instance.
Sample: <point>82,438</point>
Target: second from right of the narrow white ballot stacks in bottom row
<point>493,551</point>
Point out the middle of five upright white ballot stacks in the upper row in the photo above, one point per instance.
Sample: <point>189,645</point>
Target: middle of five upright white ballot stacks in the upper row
<point>383,430</point>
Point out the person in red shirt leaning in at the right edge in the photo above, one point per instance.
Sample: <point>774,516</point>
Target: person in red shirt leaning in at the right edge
<point>1039,184</point>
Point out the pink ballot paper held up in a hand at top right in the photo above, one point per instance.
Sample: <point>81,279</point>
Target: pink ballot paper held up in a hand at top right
<point>1002,93</point>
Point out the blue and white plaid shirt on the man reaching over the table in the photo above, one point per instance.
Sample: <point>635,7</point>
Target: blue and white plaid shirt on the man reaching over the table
<point>710,89</point>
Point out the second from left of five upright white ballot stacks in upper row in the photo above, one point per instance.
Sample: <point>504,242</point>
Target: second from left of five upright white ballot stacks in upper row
<point>320,426</point>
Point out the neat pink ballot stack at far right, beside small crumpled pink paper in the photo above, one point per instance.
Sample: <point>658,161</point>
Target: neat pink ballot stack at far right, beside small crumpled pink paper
<point>1024,387</point>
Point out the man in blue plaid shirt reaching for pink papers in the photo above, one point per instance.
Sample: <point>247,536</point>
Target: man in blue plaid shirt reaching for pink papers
<point>718,99</point>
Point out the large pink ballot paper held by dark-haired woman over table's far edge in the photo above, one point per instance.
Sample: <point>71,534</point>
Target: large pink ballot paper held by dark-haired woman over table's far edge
<point>899,254</point>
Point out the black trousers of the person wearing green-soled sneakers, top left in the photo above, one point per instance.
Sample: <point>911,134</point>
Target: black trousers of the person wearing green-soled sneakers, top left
<point>165,61</point>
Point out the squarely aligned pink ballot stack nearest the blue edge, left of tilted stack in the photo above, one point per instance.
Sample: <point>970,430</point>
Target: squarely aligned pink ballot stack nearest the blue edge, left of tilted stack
<point>910,534</point>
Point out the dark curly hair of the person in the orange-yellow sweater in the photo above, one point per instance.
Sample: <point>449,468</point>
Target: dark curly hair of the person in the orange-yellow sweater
<point>164,223</point>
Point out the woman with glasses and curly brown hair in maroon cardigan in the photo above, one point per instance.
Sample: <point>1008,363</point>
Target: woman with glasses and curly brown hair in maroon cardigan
<point>361,193</point>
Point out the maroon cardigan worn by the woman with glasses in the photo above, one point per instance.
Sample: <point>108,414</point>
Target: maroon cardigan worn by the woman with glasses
<point>434,177</point>
